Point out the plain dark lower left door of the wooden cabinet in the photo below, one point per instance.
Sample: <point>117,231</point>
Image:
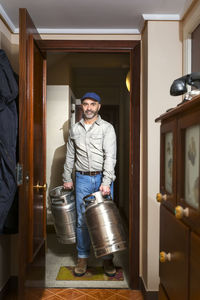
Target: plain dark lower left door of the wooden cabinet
<point>174,239</point>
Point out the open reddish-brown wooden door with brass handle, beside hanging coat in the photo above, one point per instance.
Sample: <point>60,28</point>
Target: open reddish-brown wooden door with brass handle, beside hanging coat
<point>32,147</point>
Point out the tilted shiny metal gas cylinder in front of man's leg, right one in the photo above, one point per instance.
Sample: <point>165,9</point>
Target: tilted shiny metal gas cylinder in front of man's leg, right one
<point>104,225</point>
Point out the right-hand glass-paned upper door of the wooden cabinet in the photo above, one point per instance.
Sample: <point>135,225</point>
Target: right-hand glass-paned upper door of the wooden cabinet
<point>189,168</point>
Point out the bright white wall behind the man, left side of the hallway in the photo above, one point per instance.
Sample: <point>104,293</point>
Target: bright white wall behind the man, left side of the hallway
<point>57,127</point>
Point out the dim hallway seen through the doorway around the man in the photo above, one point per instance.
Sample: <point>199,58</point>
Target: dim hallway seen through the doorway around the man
<point>69,76</point>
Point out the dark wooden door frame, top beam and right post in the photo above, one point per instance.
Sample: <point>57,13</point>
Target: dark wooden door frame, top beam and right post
<point>133,48</point>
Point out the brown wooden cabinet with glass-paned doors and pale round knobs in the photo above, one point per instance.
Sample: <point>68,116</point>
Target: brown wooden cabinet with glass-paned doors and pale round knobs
<point>179,196</point>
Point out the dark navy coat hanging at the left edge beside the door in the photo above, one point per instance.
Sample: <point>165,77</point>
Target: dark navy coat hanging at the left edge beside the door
<point>8,136</point>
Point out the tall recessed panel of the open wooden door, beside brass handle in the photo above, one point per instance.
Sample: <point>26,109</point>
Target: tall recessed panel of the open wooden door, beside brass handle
<point>39,155</point>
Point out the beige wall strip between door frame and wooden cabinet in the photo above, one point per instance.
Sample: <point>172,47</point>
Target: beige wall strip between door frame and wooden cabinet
<point>162,63</point>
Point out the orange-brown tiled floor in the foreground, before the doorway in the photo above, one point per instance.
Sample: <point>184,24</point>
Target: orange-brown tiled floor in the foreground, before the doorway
<point>79,294</point>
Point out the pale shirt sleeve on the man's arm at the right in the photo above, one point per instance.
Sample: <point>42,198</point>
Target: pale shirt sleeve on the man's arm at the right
<point>110,151</point>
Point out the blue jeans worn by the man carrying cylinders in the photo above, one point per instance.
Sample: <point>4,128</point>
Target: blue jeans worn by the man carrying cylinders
<point>85,185</point>
